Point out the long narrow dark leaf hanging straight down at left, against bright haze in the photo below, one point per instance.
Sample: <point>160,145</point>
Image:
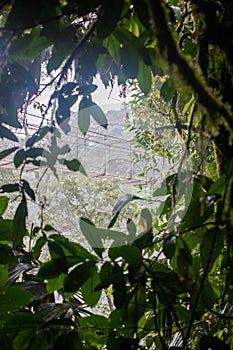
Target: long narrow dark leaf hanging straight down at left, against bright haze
<point>19,223</point>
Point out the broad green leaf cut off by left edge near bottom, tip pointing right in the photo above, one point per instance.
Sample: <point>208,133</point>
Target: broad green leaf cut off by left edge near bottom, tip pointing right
<point>13,299</point>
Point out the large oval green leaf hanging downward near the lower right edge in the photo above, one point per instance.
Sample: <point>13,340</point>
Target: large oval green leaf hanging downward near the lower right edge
<point>211,247</point>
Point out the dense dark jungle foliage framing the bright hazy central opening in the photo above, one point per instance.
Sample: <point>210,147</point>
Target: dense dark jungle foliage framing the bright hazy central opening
<point>168,278</point>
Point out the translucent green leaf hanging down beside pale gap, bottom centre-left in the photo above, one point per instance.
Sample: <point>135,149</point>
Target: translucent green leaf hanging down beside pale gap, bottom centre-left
<point>90,295</point>
